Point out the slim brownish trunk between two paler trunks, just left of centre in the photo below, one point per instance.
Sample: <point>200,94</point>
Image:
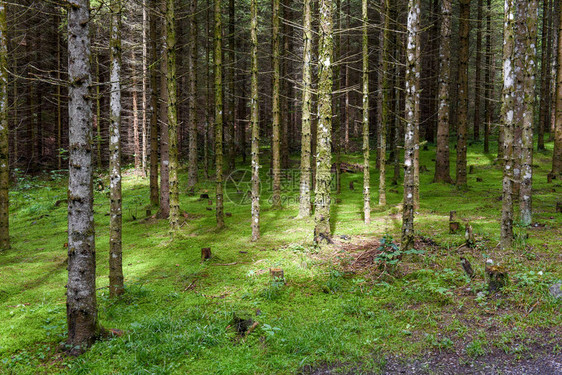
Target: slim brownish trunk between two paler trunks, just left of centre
<point>276,107</point>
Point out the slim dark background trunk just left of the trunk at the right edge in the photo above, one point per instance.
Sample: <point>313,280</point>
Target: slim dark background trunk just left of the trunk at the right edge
<point>546,50</point>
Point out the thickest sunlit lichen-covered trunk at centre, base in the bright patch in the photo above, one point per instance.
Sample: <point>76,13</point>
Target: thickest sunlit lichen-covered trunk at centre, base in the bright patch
<point>324,130</point>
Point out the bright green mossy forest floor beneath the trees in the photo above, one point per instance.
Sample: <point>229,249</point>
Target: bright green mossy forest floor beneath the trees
<point>176,309</point>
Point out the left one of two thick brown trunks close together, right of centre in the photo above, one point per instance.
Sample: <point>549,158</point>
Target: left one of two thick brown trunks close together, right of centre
<point>442,166</point>
